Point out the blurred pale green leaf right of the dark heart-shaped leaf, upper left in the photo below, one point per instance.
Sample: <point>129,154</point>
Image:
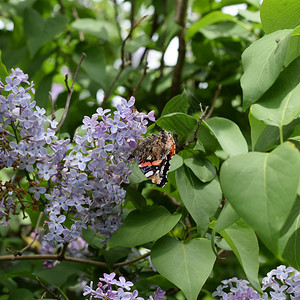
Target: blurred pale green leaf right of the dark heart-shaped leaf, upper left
<point>91,26</point>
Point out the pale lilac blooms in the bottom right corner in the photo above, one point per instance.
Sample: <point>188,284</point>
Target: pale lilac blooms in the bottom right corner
<point>283,283</point>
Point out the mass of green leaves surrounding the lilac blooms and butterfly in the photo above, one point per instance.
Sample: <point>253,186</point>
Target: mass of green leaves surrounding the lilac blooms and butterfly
<point>234,181</point>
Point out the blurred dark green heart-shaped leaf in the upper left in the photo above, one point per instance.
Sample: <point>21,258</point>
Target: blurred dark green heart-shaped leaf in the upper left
<point>41,31</point>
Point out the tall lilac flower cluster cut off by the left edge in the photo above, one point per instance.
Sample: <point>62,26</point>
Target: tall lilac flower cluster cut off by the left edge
<point>25,137</point>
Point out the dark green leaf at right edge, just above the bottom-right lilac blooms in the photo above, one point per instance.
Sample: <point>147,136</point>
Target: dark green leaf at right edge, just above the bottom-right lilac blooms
<point>289,242</point>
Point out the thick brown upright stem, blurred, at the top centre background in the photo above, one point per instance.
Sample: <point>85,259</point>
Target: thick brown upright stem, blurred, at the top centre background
<point>180,11</point>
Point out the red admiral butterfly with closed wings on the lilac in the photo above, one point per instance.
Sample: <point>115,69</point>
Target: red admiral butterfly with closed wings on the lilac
<point>154,154</point>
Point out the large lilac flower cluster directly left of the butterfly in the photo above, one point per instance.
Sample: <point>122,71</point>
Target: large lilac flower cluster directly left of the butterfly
<point>91,174</point>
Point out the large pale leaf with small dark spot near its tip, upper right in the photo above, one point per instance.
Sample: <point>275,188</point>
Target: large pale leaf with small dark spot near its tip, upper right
<point>262,63</point>
